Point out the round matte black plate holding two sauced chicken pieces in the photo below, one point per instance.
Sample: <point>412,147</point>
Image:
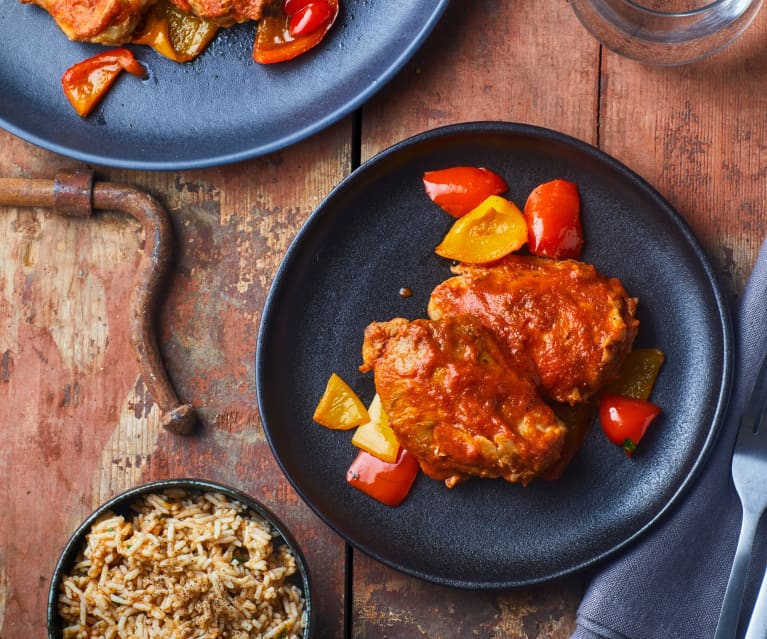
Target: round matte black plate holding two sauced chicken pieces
<point>375,234</point>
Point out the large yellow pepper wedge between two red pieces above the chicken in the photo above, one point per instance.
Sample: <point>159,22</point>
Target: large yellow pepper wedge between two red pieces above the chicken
<point>494,229</point>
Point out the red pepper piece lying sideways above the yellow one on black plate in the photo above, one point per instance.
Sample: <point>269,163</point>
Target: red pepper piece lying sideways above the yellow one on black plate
<point>460,189</point>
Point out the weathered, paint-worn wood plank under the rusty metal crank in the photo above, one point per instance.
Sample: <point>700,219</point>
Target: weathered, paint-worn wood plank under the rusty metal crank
<point>80,423</point>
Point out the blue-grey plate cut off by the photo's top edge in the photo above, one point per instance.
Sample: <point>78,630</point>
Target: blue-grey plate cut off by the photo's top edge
<point>220,108</point>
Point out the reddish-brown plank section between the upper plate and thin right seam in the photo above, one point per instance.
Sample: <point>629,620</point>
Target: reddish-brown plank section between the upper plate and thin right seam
<point>524,61</point>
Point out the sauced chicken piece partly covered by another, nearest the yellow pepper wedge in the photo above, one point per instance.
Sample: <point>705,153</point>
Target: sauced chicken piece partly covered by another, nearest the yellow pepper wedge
<point>573,324</point>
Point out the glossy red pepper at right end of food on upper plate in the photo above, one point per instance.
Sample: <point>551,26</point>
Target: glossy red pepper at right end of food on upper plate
<point>300,26</point>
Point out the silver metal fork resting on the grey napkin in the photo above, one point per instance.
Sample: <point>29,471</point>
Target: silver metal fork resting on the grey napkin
<point>749,474</point>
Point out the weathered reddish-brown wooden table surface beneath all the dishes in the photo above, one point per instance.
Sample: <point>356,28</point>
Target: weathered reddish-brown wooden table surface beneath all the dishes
<point>77,421</point>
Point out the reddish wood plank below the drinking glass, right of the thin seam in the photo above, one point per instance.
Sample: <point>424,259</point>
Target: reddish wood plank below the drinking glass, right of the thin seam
<point>697,134</point>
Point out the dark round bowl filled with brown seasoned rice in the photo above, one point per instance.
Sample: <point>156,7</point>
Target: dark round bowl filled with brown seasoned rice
<point>184,559</point>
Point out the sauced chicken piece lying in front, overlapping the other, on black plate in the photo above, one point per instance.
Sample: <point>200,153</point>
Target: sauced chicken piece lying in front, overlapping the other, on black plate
<point>456,403</point>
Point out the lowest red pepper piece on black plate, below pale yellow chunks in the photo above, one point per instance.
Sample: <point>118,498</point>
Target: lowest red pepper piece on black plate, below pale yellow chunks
<point>387,482</point>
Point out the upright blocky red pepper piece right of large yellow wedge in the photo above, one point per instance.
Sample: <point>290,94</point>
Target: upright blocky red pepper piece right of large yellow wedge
<point>553,214</point>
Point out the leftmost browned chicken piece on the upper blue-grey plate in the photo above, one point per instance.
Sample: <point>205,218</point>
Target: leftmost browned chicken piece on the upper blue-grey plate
<point>102,21</point>
